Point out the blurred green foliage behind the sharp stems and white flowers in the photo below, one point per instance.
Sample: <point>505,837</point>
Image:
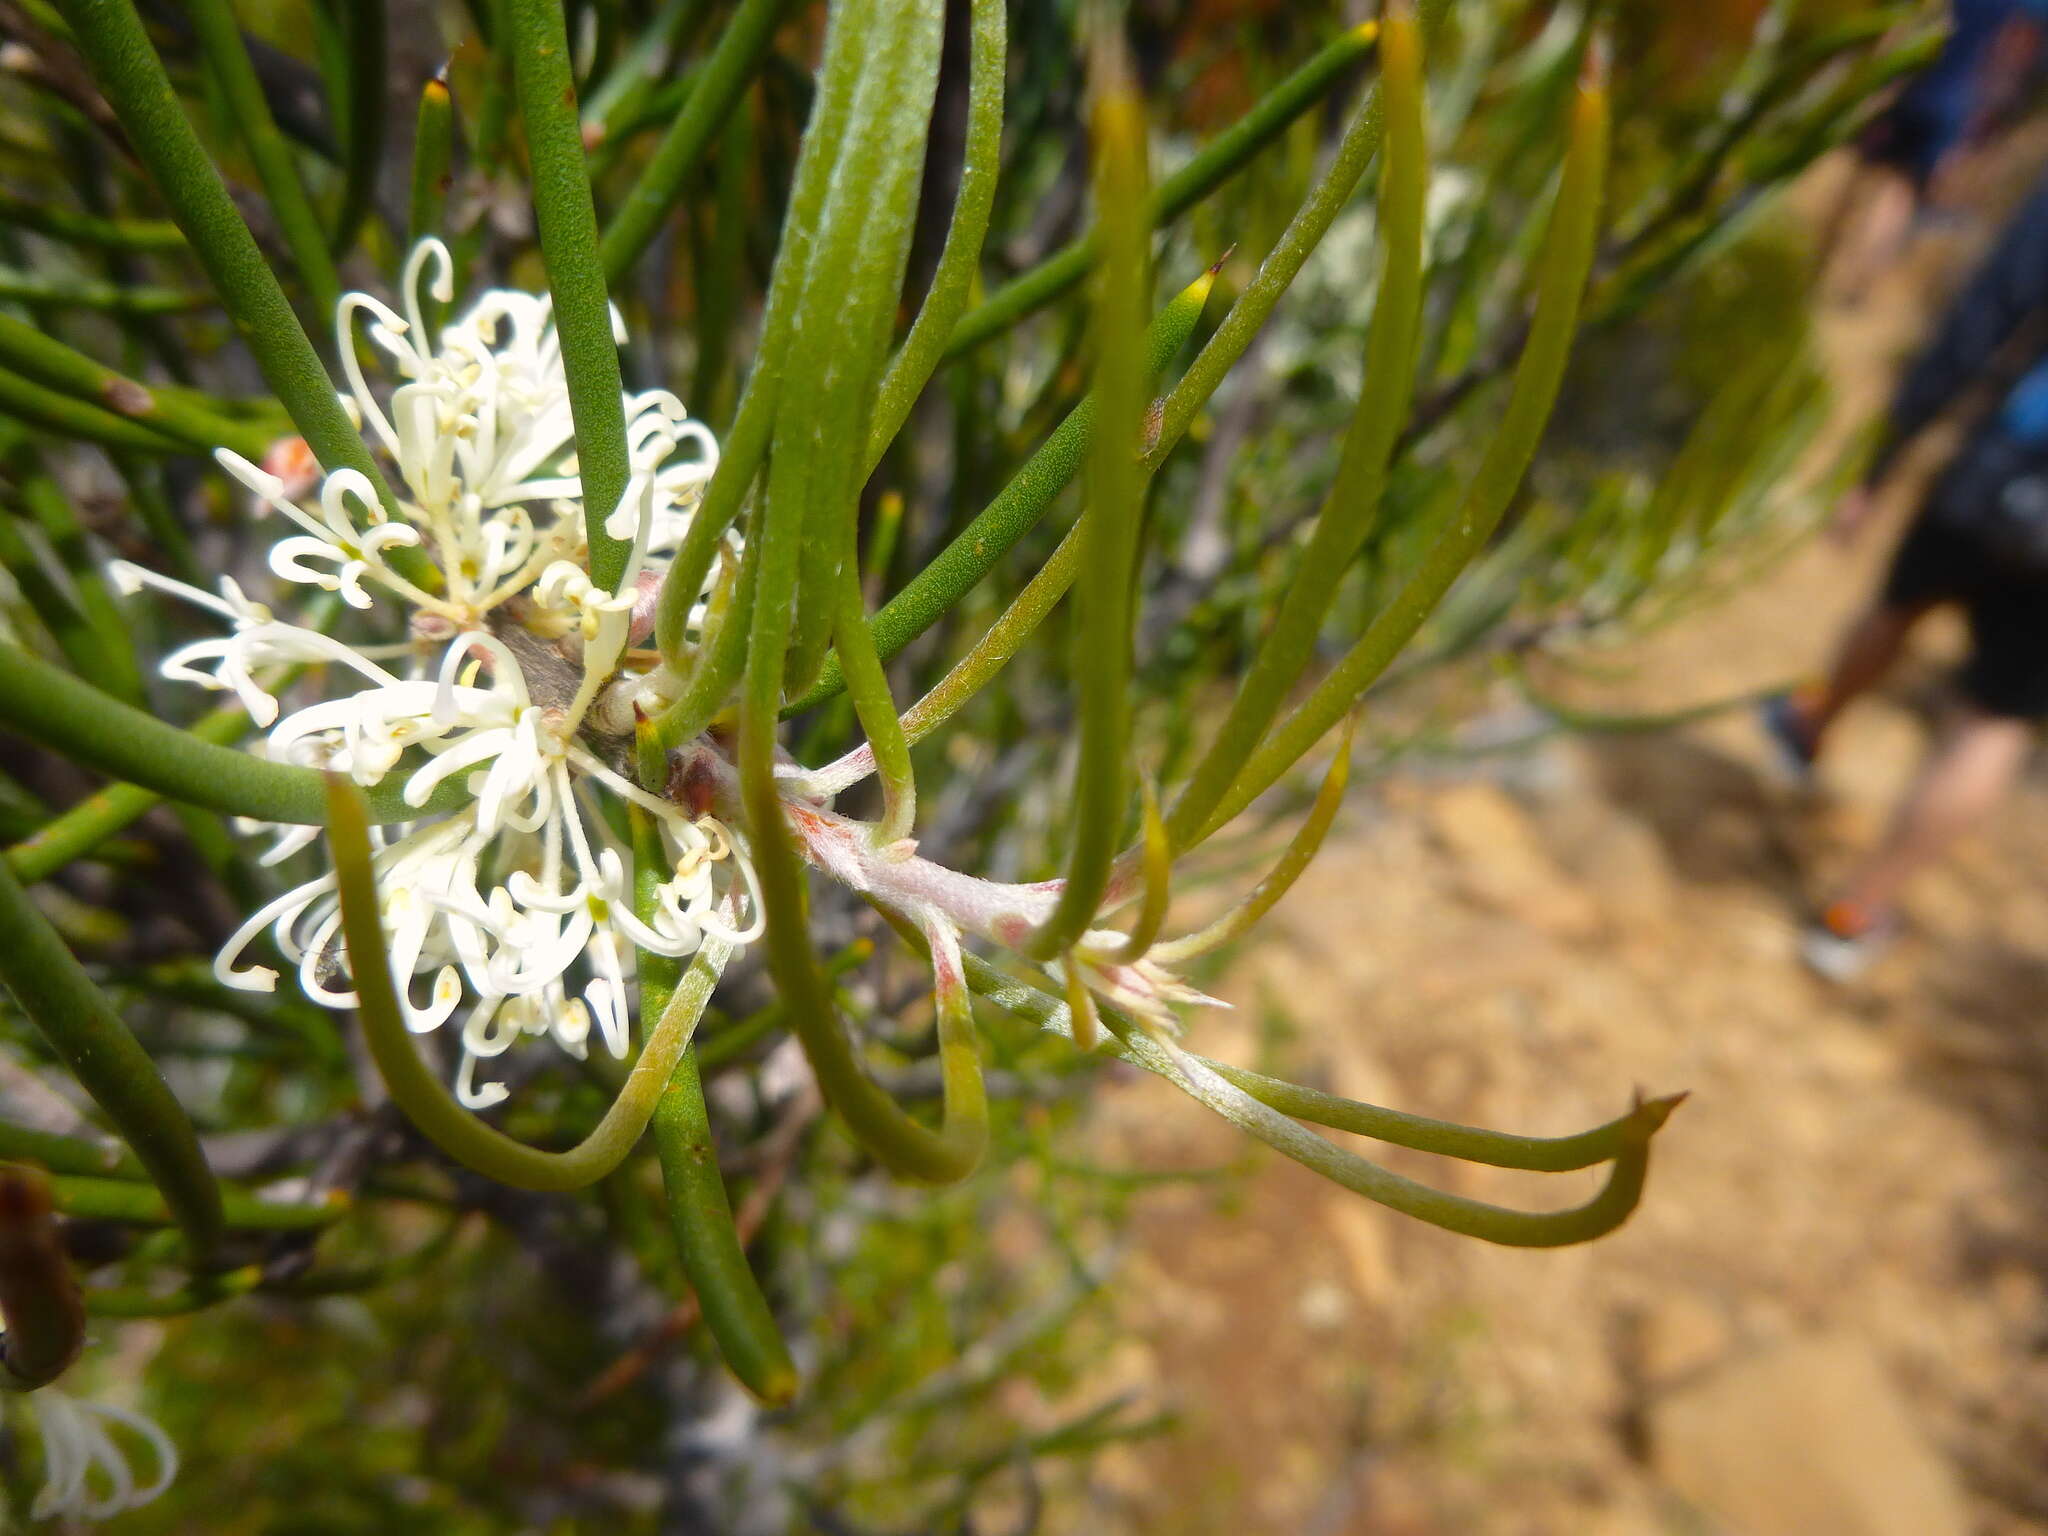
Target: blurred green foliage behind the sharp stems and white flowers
<point>497,1361</point>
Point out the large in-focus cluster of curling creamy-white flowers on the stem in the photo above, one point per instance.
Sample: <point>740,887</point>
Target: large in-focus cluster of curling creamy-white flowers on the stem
<point>509,675</point>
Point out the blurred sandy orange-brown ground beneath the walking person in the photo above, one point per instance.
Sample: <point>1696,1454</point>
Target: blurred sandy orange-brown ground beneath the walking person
<point>1519,947</point>
